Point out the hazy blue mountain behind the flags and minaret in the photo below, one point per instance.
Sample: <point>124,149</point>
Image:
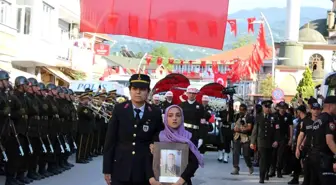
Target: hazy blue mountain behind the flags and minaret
<point>275,16</point>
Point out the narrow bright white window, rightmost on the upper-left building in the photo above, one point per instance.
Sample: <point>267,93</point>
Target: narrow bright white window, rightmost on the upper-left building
<point>47,22</point>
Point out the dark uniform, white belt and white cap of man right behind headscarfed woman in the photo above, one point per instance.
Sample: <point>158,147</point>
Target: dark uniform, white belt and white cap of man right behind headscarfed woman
<point>193,113</point>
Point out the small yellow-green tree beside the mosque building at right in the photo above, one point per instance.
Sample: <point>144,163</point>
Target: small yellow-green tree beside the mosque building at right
<point>306,85</point>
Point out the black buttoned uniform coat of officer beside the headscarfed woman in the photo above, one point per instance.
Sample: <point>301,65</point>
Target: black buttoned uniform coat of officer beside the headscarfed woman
<point>126,147</point>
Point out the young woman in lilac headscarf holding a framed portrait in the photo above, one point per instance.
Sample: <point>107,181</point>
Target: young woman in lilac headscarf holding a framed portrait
<point>175,132</point>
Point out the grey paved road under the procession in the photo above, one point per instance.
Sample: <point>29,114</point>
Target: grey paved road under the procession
<point>214,173</point>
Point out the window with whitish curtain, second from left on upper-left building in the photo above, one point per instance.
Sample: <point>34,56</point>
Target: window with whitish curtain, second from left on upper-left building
<point>23,19</point>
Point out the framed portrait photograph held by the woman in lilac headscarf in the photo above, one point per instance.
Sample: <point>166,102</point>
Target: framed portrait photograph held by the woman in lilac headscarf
<point>170,161</point>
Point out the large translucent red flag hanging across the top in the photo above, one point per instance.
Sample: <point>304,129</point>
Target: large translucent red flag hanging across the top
<point>192,22</point>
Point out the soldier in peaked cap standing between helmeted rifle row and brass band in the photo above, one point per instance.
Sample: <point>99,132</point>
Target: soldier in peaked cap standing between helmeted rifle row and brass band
<point>85,118</point>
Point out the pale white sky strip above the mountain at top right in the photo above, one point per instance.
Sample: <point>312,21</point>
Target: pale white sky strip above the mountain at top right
<point>236,5</point>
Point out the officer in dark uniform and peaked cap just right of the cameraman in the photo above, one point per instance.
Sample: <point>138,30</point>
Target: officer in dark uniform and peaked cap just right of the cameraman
<point>264,135</point>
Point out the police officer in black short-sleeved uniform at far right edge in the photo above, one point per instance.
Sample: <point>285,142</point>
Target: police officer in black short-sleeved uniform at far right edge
<point>323,152</point>
